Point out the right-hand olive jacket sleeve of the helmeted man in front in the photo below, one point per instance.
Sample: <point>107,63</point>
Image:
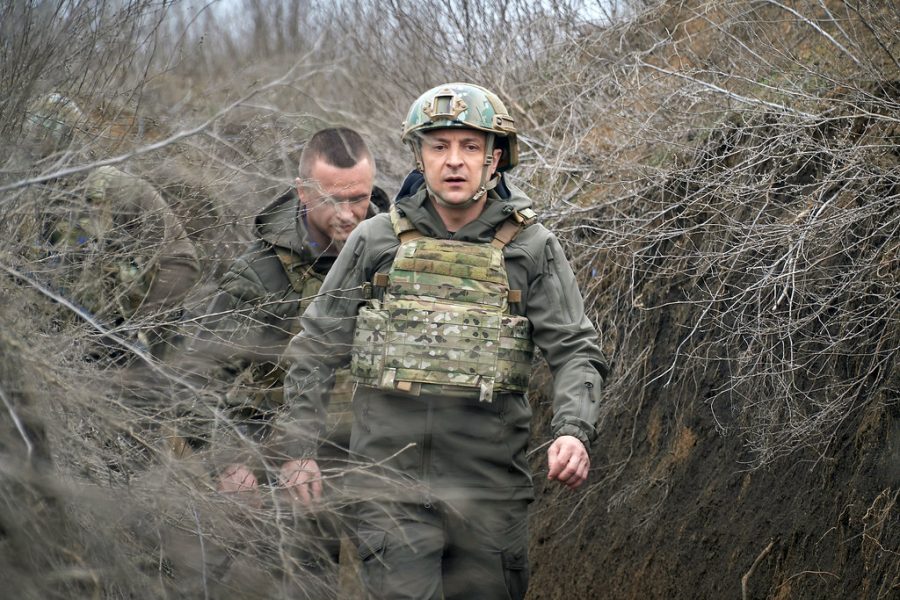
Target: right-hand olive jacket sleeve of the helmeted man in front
<point>568,341</point>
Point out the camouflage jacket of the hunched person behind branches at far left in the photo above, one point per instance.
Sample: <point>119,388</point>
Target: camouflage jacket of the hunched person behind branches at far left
<point>124,252</point>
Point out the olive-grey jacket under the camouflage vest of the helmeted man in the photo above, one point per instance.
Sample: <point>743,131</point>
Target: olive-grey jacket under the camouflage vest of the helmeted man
<point>453,446</point>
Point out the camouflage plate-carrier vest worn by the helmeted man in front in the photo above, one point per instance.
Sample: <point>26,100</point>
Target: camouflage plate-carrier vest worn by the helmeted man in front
<point>442,324</point>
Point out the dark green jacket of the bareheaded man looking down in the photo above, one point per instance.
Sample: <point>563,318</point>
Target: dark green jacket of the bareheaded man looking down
<point>257,307</point>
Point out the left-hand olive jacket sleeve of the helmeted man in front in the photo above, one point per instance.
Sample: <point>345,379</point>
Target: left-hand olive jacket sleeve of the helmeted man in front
<point>323,344</point>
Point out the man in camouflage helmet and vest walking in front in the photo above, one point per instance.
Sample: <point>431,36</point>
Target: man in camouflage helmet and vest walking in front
<point>437,307</point>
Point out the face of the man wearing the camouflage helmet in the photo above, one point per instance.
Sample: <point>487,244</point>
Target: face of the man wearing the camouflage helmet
<point>453,159</point>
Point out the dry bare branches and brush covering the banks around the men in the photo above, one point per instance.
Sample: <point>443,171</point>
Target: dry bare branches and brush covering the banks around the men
<point>725,175</point>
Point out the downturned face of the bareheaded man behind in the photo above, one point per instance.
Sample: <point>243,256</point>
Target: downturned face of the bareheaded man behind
<point>336,200</point>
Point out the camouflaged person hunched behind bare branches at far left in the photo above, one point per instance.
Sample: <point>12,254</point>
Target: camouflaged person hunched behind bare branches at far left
<point>109,241</point>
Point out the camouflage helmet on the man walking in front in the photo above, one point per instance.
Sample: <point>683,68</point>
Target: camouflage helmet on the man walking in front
<point>466,106</point>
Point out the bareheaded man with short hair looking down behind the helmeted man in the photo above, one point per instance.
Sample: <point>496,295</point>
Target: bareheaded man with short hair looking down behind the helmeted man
<point>258,305</point>
